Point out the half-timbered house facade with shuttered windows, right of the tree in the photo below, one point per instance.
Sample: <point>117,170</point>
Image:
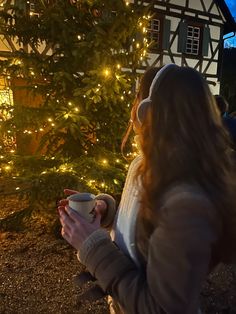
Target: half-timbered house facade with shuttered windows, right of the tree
<point>190,33</point>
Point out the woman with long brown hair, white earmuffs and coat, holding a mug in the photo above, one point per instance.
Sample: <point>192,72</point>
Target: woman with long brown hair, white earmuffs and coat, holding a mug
<point>184,224</point>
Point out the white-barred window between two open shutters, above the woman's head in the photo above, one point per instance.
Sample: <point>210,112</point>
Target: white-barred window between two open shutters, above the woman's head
<point>193,40</point>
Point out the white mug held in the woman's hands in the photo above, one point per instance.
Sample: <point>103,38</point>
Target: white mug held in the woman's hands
<point>84,204</point>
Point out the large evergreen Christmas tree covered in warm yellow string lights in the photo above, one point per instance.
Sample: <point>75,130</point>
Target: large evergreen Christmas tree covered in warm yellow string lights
<point>72,71</point>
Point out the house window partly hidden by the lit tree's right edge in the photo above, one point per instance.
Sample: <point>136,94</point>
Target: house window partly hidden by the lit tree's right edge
<point>154,34</point>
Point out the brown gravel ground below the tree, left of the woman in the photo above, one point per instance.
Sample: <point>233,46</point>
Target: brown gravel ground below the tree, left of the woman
<point>37,276</point>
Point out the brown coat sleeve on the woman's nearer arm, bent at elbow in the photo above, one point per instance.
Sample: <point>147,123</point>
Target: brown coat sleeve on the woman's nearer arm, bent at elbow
<point>179,254</point>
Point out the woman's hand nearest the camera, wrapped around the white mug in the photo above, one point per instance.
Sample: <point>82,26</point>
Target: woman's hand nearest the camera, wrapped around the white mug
<point>75,229</point>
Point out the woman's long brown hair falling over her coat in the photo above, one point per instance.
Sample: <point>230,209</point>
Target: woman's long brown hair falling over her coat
<point>182,139</point>
